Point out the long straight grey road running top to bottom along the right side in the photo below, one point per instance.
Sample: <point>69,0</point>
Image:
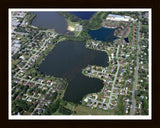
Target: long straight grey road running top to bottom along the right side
<point>137,67</point>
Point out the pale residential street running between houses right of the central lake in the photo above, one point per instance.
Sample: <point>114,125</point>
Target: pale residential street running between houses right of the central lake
<point>114,78</point>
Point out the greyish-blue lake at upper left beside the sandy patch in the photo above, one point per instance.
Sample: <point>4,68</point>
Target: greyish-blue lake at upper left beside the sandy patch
<point>51,20</point>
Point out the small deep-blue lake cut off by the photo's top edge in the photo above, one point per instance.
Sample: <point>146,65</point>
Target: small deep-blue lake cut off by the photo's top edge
<point>83,15</point>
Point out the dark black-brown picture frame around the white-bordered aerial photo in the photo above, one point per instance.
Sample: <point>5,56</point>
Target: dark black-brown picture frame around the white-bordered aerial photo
<point>5,5</point>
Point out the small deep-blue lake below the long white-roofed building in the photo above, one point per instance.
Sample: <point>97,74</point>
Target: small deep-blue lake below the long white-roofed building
<point>103,34</point>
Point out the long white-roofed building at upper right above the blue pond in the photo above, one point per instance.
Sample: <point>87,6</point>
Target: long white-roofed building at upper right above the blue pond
<point>119,18</point>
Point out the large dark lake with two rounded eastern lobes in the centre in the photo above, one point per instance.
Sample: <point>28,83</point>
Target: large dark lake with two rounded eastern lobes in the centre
<point>67,60</point>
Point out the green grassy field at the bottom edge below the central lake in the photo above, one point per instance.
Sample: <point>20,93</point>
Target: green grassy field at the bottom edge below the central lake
<point>84,110</point>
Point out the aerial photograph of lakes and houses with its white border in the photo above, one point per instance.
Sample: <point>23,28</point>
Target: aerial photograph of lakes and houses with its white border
<point>79,63</point>
